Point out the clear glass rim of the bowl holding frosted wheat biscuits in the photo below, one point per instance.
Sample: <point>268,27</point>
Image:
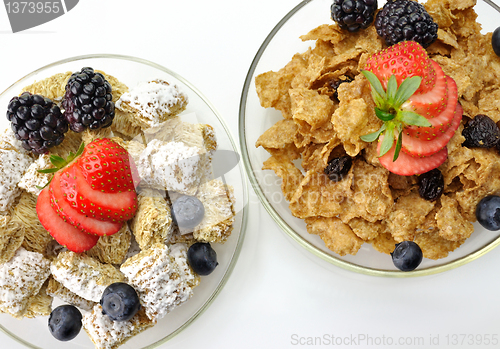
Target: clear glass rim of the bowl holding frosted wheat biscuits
<point>244,182</point>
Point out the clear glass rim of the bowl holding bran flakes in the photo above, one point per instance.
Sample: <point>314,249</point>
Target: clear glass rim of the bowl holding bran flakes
<point>290,231</point>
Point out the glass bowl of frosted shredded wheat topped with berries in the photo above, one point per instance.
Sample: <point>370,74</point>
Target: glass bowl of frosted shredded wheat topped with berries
<point>184,158</point>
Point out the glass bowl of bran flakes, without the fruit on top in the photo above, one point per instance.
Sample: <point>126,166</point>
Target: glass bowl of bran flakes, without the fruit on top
<point>303,109</point>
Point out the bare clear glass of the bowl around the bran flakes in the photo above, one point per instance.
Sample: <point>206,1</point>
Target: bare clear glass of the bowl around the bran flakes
<point>275,52</point>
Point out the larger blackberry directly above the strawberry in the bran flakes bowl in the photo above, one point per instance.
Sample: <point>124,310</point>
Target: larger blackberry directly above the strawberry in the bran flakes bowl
<point>402,20</point>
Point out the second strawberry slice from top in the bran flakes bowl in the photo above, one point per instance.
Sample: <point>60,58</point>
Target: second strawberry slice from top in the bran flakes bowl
<point>433,102</point>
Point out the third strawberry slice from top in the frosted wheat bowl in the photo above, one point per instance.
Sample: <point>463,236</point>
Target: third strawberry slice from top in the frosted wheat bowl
<point>73,216</point>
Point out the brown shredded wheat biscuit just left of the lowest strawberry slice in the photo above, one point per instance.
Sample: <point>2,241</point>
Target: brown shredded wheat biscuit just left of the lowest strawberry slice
<point>36,238</point>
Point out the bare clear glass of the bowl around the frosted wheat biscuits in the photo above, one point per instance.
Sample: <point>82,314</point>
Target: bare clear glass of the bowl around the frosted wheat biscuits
<point>34,333</point>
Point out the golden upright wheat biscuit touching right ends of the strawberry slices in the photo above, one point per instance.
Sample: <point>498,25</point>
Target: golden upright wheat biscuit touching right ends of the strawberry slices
<point>152,222</point>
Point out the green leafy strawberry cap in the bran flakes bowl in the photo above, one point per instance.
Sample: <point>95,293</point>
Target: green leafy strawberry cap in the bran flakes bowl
<point>388,109</point>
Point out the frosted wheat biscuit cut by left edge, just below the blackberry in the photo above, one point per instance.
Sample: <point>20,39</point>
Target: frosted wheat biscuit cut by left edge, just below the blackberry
<point>13,165</point>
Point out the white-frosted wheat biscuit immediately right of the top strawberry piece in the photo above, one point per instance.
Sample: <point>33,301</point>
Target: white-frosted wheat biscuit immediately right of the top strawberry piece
<point>171,166</point>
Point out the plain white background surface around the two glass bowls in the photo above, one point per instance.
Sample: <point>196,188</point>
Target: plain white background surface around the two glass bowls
<point>278,294</point>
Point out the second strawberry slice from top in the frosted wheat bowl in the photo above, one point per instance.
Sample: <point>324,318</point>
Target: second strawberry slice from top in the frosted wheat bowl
<point>116,207</point>
